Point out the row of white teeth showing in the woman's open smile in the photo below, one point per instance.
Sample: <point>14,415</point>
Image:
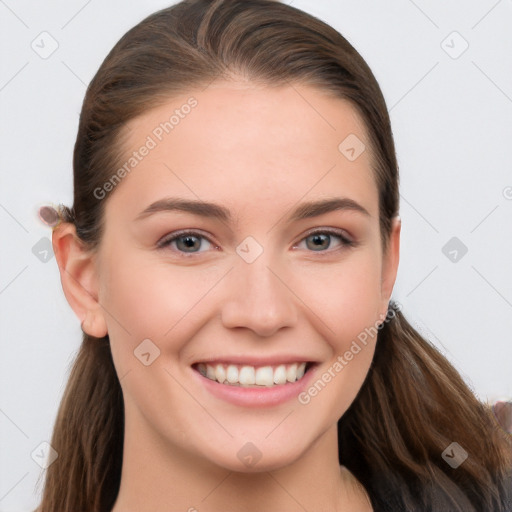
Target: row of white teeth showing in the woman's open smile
<point>253,376</point>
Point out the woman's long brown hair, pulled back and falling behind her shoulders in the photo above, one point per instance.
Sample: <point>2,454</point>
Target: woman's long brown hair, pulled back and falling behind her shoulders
<point>413,403</point>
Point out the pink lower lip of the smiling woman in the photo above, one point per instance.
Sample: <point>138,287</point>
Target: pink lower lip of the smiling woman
<point>257,396</point>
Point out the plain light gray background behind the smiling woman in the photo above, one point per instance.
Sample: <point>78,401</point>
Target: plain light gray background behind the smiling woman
<point>452,120</point>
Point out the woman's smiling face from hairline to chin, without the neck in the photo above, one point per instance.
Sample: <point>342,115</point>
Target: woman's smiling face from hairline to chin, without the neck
<point>252,293</point>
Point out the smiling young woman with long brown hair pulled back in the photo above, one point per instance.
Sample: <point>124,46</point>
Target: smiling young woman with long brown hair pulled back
<point>231,253</point>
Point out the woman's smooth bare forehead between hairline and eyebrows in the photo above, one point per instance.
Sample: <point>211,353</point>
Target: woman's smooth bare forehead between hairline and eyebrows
<point>234,141</point>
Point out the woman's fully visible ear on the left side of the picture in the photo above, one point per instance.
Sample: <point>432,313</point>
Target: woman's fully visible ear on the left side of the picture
<point>78,276</point>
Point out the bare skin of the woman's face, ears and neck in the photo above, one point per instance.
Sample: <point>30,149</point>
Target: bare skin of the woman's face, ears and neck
<point>259,152</point>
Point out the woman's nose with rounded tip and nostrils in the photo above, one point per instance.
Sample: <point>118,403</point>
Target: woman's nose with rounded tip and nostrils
<point>259,298</point>
